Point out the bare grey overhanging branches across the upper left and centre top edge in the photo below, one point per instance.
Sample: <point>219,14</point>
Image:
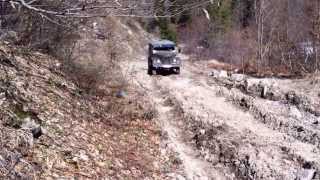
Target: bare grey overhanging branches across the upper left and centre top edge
<point>107,8</point>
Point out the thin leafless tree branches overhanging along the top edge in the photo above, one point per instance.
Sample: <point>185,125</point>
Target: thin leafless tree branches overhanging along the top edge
<point>85,9</point>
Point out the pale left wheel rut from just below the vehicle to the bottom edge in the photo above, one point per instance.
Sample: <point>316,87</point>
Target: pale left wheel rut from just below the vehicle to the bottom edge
<point>195,168</point>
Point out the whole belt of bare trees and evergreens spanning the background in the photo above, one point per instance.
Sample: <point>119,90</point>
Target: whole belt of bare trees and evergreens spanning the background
<point>258,35</point>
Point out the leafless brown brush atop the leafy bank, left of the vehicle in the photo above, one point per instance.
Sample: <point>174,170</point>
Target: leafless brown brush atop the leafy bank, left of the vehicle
<point>93,64</point>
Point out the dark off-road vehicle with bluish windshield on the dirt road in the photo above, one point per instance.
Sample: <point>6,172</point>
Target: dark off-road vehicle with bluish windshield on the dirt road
<point>163,55</point>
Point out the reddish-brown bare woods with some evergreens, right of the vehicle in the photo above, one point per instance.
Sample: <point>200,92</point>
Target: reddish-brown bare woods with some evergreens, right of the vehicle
<point>258,35</point>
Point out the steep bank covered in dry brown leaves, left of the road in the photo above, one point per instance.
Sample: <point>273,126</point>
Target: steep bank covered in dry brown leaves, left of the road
<point>49,128</point>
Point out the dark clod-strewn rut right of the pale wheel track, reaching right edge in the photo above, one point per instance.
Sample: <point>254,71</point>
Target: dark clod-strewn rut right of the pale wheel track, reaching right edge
<point>277,116</point>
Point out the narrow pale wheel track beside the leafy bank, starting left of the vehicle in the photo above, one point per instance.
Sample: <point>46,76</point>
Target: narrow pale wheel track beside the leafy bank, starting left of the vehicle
<point>194,167</point>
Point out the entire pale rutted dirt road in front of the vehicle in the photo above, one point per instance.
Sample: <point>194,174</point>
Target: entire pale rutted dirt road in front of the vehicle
<point>221,132</point>
